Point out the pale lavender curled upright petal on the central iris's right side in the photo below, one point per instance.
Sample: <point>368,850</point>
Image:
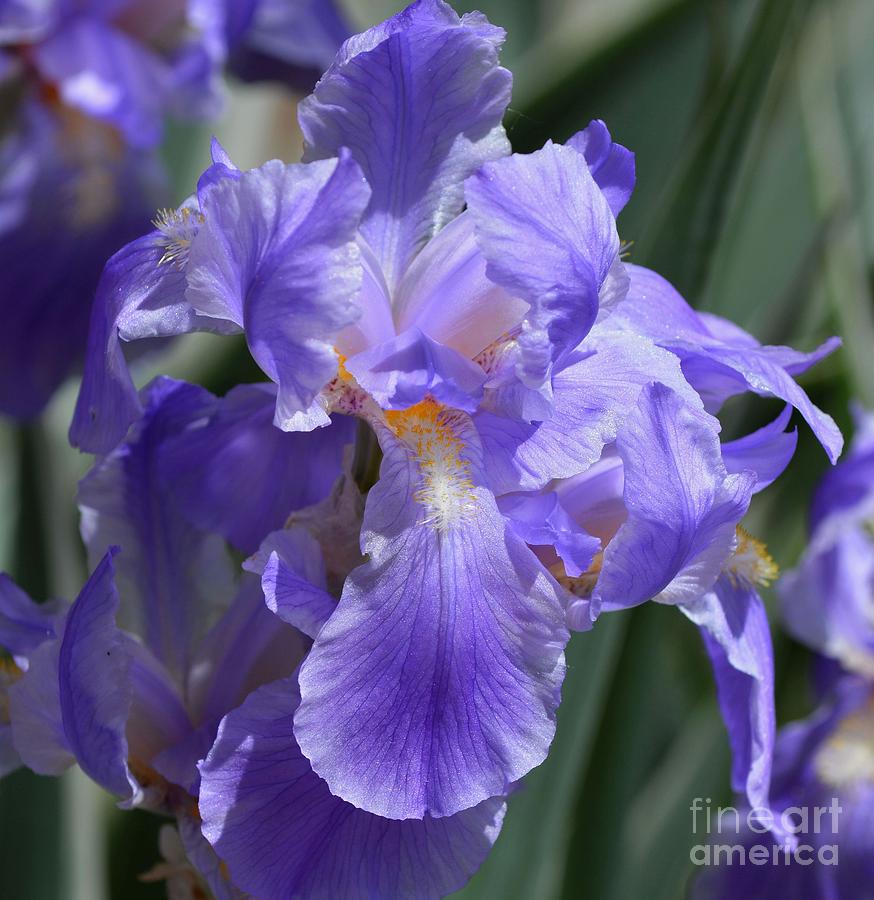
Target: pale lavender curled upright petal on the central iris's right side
<point>549,237</point>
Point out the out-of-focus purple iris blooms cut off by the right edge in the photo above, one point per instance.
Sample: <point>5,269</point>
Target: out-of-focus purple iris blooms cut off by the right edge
<point>826,761</point>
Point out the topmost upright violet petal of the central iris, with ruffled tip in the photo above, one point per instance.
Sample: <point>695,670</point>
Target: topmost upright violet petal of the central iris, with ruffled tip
<point>419,101</point>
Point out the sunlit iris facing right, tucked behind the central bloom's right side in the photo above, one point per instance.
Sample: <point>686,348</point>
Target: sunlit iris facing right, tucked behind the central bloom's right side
<point>664,512</point>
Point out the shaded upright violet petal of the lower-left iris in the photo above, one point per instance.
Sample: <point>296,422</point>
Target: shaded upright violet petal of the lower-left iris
<point>173,577</point>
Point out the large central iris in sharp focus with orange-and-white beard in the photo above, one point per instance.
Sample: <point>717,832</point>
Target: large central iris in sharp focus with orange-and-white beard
<point>327,258</point>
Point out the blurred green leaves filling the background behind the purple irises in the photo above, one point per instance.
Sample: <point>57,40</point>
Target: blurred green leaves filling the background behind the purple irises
<point>753,125</point>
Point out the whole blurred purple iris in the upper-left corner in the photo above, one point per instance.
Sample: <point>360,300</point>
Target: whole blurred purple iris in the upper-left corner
<point>89,87</point>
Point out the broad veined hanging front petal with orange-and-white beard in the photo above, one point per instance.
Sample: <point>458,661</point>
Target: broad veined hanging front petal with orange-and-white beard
<point>442,664</point>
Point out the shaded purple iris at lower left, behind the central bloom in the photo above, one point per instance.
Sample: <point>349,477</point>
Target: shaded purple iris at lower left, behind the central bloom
<point>183,614</point>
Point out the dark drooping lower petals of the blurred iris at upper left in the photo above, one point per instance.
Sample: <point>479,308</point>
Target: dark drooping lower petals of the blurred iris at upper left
<point>70,194</point>
